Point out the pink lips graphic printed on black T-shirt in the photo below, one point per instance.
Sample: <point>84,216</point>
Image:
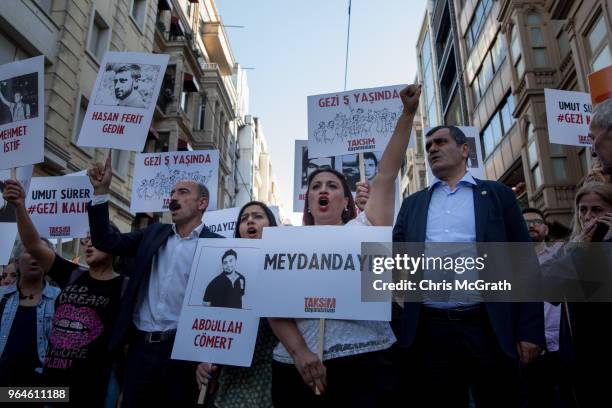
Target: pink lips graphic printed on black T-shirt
<point>75,327</point>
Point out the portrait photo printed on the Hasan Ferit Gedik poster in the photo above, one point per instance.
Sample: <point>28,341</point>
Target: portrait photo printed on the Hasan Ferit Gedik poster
<point>127,84</point>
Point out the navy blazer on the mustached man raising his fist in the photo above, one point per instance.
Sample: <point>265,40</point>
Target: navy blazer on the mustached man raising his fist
<point>142,245</point>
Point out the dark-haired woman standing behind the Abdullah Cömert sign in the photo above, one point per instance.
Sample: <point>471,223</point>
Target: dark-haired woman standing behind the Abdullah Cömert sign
<point>247,386</point>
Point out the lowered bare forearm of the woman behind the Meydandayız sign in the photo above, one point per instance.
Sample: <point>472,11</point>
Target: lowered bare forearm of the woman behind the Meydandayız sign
<point>307,363</point>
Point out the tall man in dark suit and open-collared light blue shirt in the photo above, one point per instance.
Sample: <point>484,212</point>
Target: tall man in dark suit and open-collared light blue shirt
<point>458,347</point>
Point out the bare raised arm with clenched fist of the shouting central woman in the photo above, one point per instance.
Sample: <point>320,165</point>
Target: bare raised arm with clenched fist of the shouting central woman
<point>380,206</point>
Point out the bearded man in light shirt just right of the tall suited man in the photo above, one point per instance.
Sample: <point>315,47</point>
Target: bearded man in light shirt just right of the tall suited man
<point>542,376</point>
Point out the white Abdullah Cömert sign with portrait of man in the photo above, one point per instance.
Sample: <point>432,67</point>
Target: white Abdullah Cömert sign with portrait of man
<point>217,322</point>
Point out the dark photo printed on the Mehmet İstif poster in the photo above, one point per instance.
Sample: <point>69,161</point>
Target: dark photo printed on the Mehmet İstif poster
<point>19,98</point>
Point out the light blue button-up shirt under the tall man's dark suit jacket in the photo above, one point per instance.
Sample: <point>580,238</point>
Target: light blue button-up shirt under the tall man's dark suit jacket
<point>451,218</point>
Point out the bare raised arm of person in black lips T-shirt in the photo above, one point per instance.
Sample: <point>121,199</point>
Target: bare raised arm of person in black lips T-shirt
<point>15,194</point>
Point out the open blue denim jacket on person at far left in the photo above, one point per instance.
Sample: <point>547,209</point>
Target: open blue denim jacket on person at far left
<point>44,317</point>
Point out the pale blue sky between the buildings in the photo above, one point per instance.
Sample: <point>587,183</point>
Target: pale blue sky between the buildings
<point>298,48</point>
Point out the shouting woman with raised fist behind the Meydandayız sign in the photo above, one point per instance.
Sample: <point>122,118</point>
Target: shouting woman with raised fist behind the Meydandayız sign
<point>352,349</point>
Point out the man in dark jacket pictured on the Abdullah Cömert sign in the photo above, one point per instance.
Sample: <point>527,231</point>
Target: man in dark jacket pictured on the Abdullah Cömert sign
<point>227,289</point>
